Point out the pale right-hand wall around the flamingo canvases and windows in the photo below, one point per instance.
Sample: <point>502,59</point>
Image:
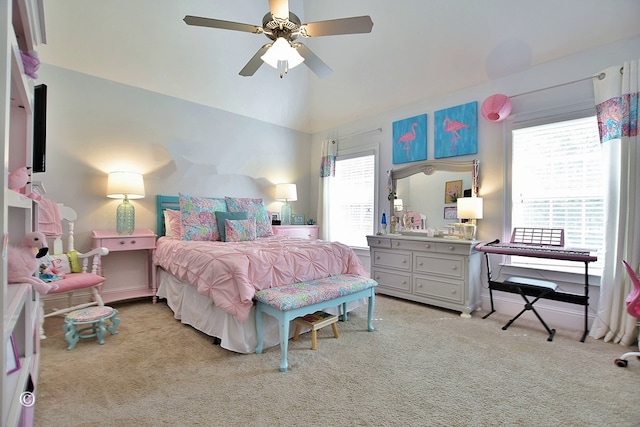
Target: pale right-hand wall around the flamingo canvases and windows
<point>492,144</point>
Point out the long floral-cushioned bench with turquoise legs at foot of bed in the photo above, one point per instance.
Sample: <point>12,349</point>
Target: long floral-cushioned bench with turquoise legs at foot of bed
<point>285,303</point>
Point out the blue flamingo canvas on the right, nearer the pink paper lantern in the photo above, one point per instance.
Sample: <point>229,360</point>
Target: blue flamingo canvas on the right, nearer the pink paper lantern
<point>456,131</point>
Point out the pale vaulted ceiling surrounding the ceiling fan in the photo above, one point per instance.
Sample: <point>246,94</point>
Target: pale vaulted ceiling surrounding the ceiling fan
<point>417,49</point>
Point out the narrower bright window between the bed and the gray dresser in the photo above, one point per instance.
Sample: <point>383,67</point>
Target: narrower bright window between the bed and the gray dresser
<point>352,199</point>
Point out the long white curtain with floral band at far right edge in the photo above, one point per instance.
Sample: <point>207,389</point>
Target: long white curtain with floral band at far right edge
<point>616,98</point>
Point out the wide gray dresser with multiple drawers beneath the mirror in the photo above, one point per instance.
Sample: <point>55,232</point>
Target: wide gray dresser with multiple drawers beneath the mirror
<point>435,271</point>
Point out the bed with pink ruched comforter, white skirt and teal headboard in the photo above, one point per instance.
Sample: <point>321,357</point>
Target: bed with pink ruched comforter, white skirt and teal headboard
<point>209,284</point>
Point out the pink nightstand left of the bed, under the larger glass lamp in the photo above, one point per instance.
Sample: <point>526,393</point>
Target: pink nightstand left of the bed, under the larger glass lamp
<point>122,284</point>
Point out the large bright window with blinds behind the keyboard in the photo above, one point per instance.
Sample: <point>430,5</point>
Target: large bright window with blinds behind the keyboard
<point>557,182</point>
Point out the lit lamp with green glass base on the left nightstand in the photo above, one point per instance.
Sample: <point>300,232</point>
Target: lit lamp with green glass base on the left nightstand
<point>125,185</point>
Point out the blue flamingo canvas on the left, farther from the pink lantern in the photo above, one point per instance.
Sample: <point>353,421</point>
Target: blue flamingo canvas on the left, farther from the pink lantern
<point>410,139</point>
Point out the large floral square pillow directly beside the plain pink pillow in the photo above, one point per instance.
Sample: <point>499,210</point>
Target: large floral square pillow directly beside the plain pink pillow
<point>198,217</point>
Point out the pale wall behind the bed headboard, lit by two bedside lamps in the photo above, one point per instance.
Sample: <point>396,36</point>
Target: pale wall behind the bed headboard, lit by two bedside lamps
<point>95,126</point>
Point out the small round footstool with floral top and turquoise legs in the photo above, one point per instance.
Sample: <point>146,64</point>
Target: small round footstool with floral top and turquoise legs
<point>95,318</point>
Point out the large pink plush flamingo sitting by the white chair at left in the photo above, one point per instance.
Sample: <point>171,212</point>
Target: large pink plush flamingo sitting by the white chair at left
<point>22,262</point>
